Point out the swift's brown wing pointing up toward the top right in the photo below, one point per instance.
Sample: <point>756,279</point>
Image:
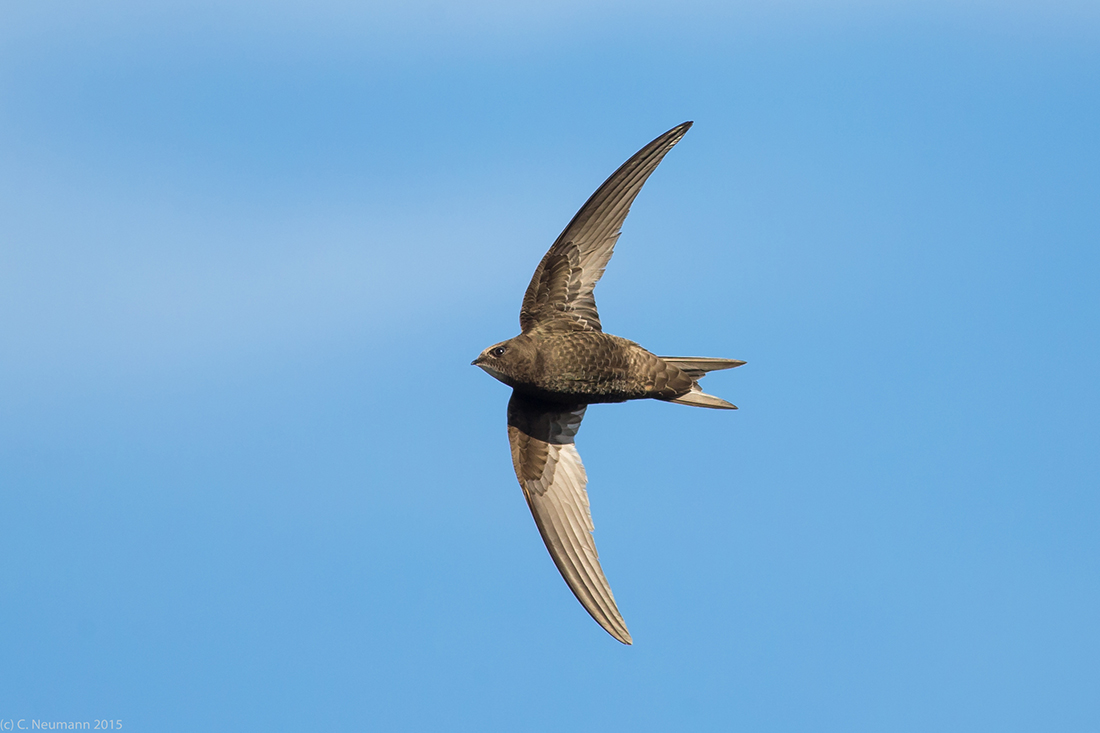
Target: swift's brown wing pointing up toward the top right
<point>564,281</point>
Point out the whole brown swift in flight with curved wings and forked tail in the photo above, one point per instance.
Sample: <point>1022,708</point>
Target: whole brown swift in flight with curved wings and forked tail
<point>563,362</point>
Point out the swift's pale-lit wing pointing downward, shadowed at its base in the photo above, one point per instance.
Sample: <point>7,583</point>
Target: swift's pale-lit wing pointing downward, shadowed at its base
<point>551,473</point>
